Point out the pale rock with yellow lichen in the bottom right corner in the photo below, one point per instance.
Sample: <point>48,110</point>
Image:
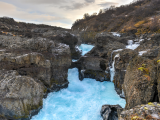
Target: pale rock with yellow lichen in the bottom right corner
<point>148,111</point>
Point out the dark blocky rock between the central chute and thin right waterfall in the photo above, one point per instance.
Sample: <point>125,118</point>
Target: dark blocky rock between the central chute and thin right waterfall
<point>92,67</point>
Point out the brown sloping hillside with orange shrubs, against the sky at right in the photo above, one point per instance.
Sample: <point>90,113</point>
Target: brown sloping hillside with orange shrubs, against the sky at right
<point>139,17</point>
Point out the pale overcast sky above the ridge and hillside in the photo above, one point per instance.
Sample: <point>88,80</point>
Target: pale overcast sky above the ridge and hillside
<point>53,12</point>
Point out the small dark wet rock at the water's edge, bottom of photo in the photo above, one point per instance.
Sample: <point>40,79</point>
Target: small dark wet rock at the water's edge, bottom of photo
<point>109,112</point>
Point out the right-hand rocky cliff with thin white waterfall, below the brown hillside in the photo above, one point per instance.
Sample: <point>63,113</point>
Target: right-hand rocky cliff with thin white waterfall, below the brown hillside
<point>133,60</point>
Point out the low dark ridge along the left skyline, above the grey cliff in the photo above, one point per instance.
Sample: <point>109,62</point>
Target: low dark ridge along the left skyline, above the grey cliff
<point>9,25</point>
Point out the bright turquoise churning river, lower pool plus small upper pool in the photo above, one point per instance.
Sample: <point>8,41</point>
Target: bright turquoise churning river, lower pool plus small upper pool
<point>82,100</point>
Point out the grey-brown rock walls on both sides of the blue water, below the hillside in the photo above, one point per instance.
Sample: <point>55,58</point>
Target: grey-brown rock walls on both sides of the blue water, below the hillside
<point>35,60</point>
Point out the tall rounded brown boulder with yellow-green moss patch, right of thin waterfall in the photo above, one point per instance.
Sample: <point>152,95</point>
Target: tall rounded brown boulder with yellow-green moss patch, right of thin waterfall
<point>139,86</point>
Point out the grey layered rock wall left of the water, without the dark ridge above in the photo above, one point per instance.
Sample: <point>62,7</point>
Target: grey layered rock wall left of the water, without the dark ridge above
<point>40,65</point>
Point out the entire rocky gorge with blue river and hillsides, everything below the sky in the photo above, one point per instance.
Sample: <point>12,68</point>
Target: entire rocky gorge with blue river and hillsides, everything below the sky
<point>106,67</point>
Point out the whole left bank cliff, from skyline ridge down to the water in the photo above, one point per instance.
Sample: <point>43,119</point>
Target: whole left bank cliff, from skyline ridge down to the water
<point>32,65</point>
